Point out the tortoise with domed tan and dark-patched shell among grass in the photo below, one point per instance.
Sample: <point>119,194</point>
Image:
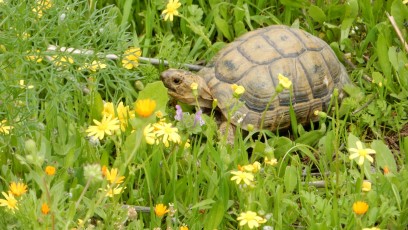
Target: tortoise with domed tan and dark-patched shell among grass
<point>254,61</point>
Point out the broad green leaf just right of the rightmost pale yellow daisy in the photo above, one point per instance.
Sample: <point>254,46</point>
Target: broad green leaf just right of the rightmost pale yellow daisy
<point>384,156</point>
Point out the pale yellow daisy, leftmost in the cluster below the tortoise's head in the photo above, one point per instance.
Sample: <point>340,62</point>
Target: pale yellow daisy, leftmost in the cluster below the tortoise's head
<point>106,126</point>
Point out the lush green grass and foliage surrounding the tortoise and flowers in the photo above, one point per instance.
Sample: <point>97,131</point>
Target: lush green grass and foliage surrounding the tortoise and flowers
<point>50,120</point>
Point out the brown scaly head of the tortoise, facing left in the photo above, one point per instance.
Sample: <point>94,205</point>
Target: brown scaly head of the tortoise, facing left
<point>178,82</point>
